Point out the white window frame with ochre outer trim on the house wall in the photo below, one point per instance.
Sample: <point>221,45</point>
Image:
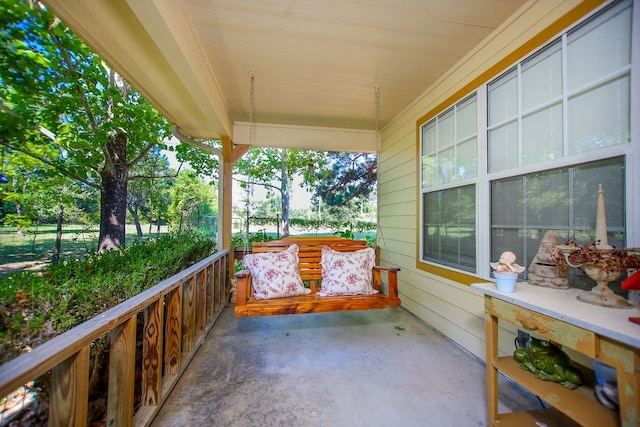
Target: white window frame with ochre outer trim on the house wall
<point>484,178</point>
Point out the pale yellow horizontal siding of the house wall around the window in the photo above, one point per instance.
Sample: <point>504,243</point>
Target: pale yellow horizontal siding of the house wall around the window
<point>451,306</point>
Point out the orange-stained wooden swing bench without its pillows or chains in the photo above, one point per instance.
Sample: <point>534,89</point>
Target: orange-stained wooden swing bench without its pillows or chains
<point>310,269</point>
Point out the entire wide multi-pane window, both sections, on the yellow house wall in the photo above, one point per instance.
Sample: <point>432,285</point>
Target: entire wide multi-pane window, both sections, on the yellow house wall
<point>526,151</point>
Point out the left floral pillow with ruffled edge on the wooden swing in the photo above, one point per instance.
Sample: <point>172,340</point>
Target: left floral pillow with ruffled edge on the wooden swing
<point>275,274</point>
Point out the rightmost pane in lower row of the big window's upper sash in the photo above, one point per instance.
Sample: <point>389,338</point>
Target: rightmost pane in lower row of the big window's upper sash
<point>600,117</point>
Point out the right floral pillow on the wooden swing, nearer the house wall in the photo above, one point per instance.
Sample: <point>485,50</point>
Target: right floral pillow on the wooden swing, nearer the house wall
<point>347,273</point>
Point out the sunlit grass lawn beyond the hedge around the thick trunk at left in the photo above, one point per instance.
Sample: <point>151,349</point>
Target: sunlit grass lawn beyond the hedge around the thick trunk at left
<point>33,249</point>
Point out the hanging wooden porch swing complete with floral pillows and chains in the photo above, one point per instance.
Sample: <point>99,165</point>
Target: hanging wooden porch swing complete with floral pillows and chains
<point>297,275</point>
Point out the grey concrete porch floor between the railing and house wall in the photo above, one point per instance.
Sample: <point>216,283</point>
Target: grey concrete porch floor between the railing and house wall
<point>362,368</point>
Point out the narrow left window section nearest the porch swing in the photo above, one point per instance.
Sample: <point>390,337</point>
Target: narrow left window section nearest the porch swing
<point>449,157</point>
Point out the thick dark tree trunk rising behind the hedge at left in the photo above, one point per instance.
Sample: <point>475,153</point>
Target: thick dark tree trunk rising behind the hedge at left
<point>113,195</point>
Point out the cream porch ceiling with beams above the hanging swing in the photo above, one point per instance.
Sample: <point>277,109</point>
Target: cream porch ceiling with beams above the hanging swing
<point>315,62</point>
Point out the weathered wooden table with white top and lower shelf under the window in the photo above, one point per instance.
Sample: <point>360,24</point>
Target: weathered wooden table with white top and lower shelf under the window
<point>604,334</point>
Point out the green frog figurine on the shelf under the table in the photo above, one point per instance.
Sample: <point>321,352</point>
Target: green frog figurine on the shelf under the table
<point>548,363</point>
